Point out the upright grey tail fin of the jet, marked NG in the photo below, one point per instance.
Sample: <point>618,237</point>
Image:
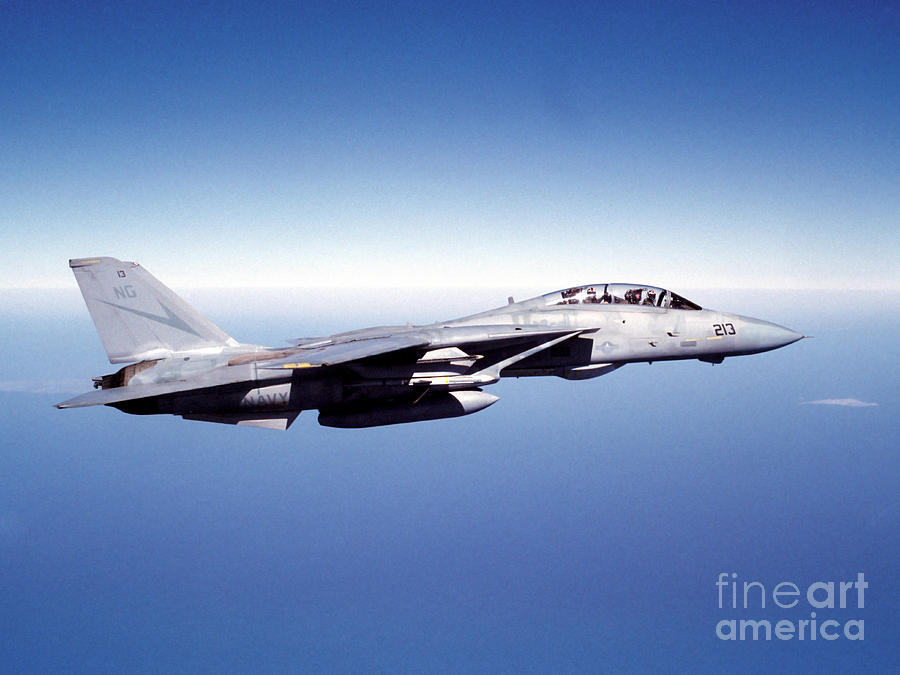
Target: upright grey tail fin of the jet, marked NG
<point>137,316</point>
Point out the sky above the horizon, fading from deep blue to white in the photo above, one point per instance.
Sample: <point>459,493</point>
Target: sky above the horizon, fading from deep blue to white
<point>509,145</point>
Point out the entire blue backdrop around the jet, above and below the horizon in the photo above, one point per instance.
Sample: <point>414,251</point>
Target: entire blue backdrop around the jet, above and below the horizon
<point>480,149</point>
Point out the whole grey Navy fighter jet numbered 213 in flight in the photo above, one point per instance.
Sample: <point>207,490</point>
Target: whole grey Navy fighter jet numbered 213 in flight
<point>180,363</point>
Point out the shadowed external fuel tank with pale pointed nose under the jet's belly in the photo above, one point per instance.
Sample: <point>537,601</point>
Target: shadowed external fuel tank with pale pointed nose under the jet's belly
<point>430,407</point>
